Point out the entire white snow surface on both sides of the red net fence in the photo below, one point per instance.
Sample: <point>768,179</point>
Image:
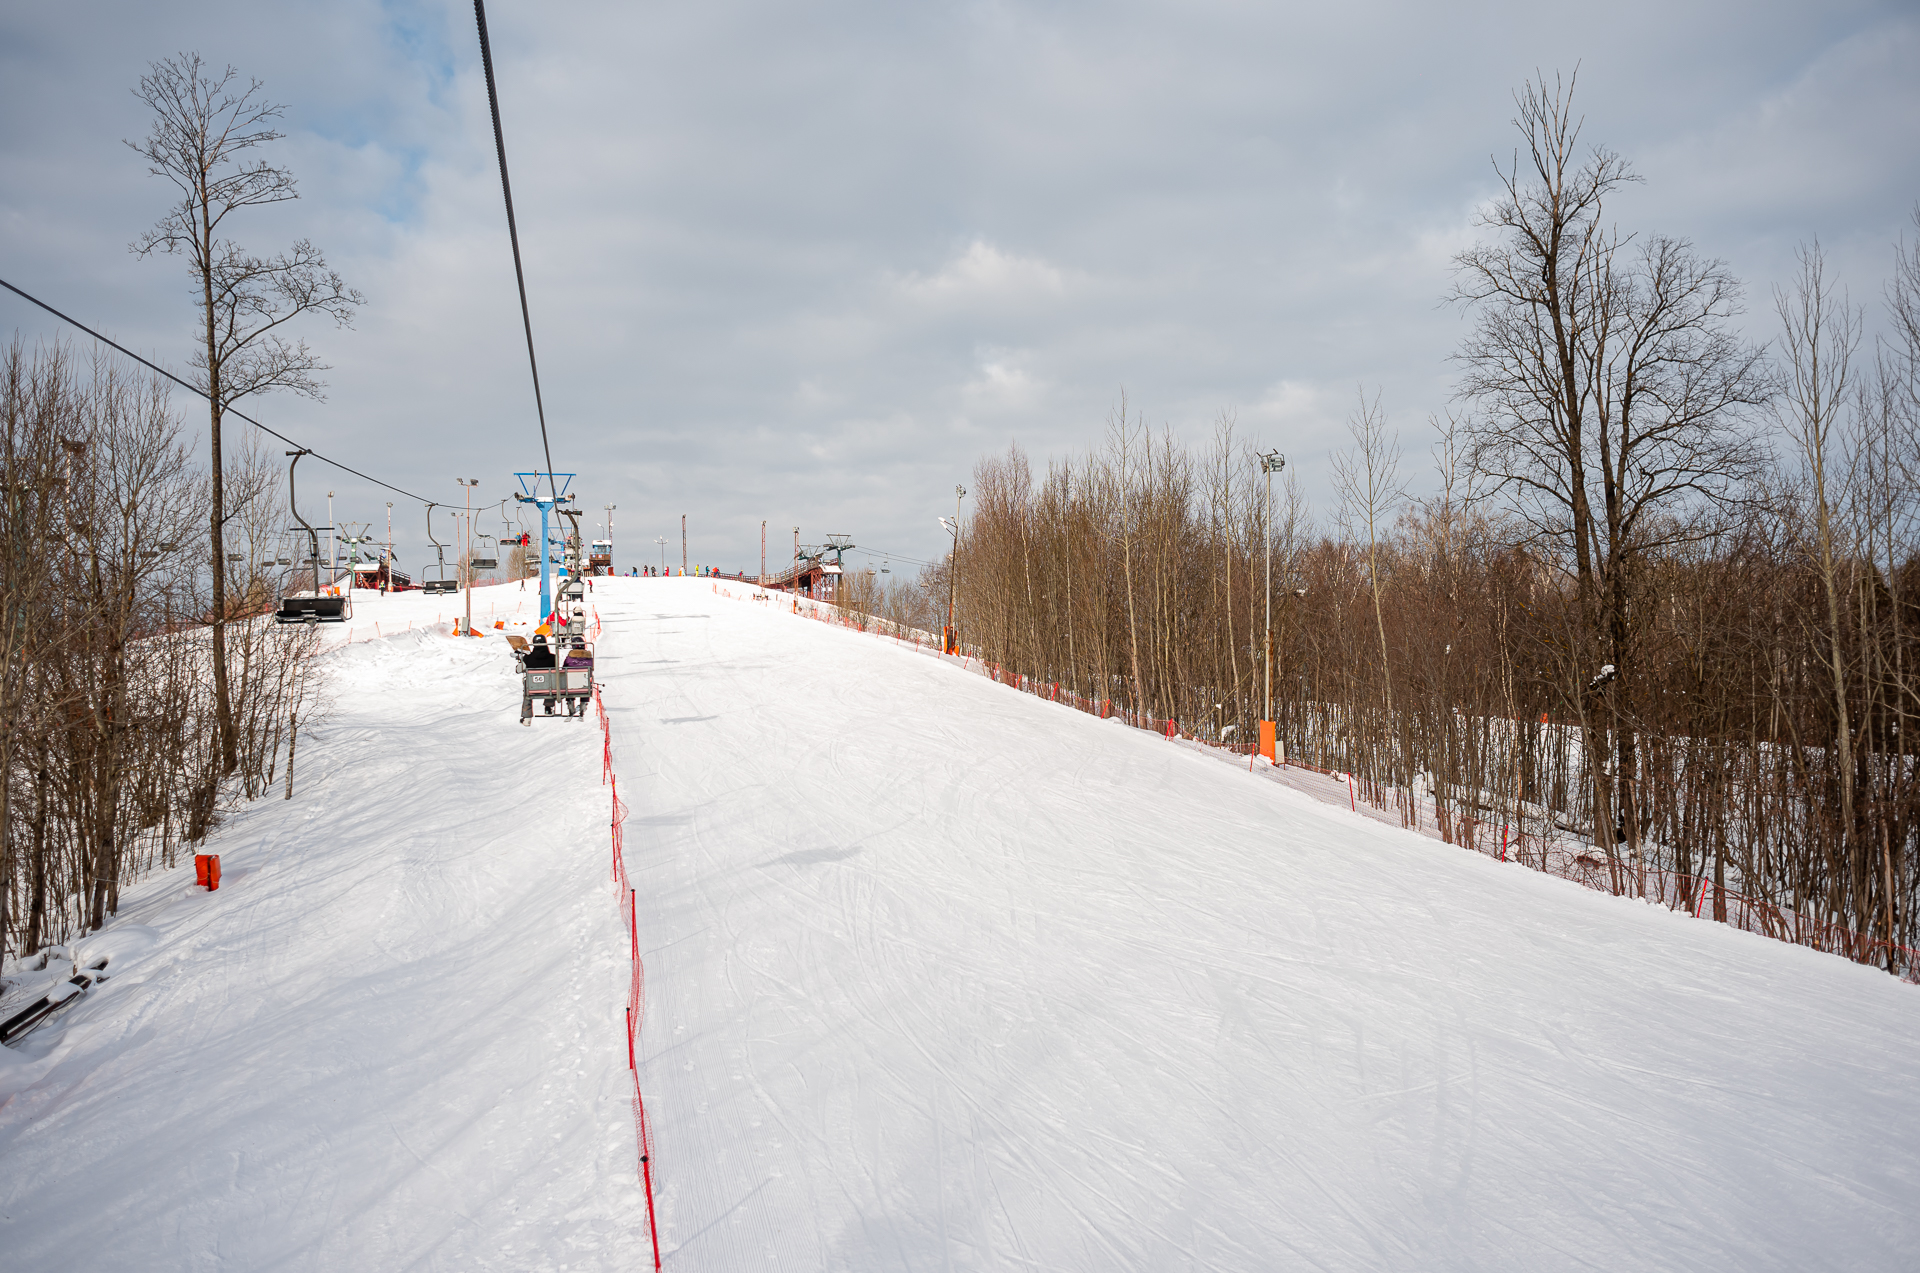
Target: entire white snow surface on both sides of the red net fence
<point>940,976</point>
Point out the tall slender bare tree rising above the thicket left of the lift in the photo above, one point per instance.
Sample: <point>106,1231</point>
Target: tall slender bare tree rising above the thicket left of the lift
<point>204,126</point>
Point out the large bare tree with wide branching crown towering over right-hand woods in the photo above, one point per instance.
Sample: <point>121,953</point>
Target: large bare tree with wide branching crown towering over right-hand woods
<point>1614,402</point>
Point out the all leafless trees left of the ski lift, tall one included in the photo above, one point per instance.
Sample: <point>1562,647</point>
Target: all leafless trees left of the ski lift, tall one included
<point>143,681</point>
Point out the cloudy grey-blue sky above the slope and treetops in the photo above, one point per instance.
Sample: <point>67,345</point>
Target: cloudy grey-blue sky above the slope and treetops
<point>811,264</point>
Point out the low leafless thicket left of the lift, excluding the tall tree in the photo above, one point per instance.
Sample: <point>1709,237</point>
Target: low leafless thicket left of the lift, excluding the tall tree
<point>112,748</point>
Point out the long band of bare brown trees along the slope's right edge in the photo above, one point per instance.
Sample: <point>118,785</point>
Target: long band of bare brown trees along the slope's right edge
<point>1664,600</point>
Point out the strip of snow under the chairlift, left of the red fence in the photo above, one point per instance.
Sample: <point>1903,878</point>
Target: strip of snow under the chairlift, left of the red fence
<point>391,1040</point>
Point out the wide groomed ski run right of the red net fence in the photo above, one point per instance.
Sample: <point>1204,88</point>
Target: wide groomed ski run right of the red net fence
<point>957,978</point>
